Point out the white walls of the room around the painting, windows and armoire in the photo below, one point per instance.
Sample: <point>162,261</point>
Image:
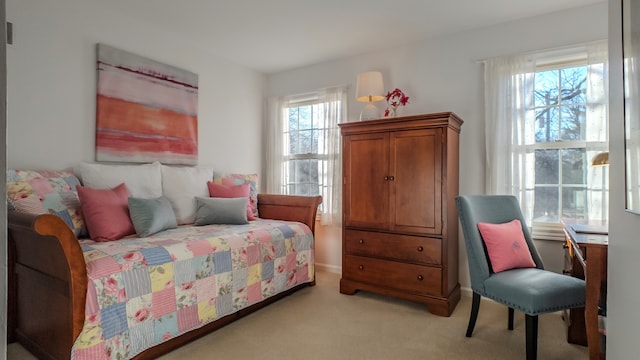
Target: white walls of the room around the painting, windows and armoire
<point>51,104</point>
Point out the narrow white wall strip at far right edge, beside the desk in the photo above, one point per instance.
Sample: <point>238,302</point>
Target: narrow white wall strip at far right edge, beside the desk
<point>623,315</point>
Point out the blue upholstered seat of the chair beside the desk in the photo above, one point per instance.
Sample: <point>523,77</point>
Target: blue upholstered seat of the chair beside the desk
<point>535,291</point>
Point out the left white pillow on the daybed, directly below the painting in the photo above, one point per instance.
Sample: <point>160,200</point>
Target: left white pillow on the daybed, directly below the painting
<point>142,181</point>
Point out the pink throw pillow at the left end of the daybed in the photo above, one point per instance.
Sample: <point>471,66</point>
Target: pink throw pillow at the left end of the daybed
<point>106,212</point>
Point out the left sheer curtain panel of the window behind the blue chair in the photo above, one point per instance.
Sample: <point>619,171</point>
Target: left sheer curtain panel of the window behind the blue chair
<point>509,122</point>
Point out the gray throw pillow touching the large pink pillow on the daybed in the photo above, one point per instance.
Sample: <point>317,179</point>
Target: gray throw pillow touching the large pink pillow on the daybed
<point>150,216</point>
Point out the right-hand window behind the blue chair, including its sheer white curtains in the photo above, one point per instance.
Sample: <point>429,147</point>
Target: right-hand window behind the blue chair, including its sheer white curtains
<point>546,118</point>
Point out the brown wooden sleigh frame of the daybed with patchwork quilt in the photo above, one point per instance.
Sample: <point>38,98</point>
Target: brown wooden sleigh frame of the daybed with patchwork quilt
<point>47,280</point>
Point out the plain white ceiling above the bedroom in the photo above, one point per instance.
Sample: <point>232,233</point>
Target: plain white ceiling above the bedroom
<point>277,35</point>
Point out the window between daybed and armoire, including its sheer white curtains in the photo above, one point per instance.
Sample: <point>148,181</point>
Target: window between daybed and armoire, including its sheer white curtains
<point>303,147</point>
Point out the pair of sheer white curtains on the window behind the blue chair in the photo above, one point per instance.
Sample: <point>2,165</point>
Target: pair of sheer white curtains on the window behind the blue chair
<point>510,126</point>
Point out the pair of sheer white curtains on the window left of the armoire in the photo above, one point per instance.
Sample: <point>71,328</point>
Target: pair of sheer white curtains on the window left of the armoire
<point>335,101</point>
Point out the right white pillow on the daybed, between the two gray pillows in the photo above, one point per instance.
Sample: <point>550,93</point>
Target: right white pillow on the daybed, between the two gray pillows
<point>181,185</point>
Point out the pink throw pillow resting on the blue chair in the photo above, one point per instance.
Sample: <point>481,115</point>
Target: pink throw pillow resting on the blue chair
<point>506,245</point>
